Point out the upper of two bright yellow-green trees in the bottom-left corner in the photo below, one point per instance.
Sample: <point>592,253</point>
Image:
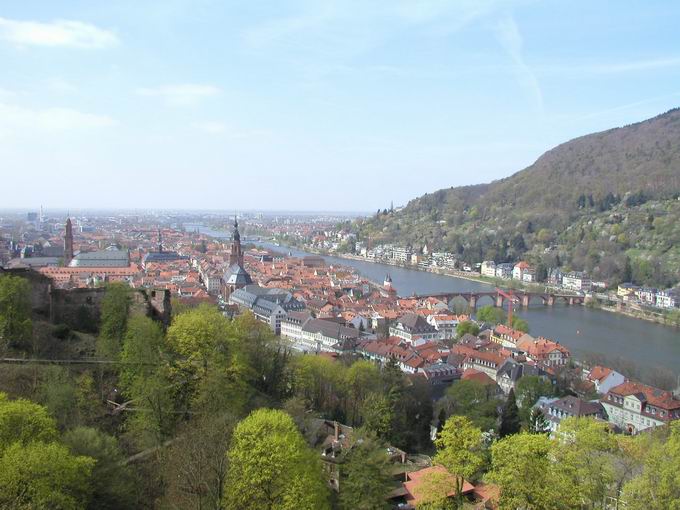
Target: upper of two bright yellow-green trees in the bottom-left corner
<point>22,421</point>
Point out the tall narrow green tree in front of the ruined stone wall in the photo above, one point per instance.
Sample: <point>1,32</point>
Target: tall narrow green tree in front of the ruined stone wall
<point>114,317</point>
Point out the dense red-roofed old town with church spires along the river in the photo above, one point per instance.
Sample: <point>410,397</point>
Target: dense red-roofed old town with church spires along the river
<point>333,313</point>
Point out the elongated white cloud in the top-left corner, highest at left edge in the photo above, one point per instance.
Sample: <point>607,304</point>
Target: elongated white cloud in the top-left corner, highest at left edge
<point>58,33</point>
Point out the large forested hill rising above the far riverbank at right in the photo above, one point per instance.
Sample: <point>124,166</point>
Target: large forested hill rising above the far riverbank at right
<point>605,202</point>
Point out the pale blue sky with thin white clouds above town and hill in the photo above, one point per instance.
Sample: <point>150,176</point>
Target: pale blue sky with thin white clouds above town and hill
<point>311,105</point>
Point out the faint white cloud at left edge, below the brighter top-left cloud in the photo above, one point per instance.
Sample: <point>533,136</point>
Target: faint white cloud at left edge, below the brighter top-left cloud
<point>16,119</point>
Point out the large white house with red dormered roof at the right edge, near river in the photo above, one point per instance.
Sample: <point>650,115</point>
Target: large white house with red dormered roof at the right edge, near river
<point>634,407</point>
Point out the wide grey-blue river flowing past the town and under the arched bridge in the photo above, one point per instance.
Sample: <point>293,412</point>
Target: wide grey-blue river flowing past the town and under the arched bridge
<point>583,330</point>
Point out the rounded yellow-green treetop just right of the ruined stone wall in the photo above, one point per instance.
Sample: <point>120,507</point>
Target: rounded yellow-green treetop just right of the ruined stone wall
<point>197,333</point>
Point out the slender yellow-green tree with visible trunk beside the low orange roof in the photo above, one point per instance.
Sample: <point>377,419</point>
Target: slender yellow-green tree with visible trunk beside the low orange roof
<point>459,450</point>
